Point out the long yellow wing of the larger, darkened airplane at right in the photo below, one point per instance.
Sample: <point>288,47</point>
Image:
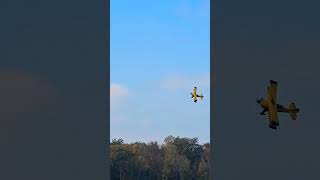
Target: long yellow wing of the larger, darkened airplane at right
<point>272,99</point>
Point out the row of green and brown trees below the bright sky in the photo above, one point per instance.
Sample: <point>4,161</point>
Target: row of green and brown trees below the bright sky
<point>176,159</point>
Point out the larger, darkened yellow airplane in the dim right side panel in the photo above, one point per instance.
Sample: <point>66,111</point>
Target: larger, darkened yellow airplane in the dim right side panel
<point>270,105</point>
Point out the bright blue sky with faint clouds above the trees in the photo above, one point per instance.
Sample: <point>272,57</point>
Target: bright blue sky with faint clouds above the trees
<point>160,50</point>
